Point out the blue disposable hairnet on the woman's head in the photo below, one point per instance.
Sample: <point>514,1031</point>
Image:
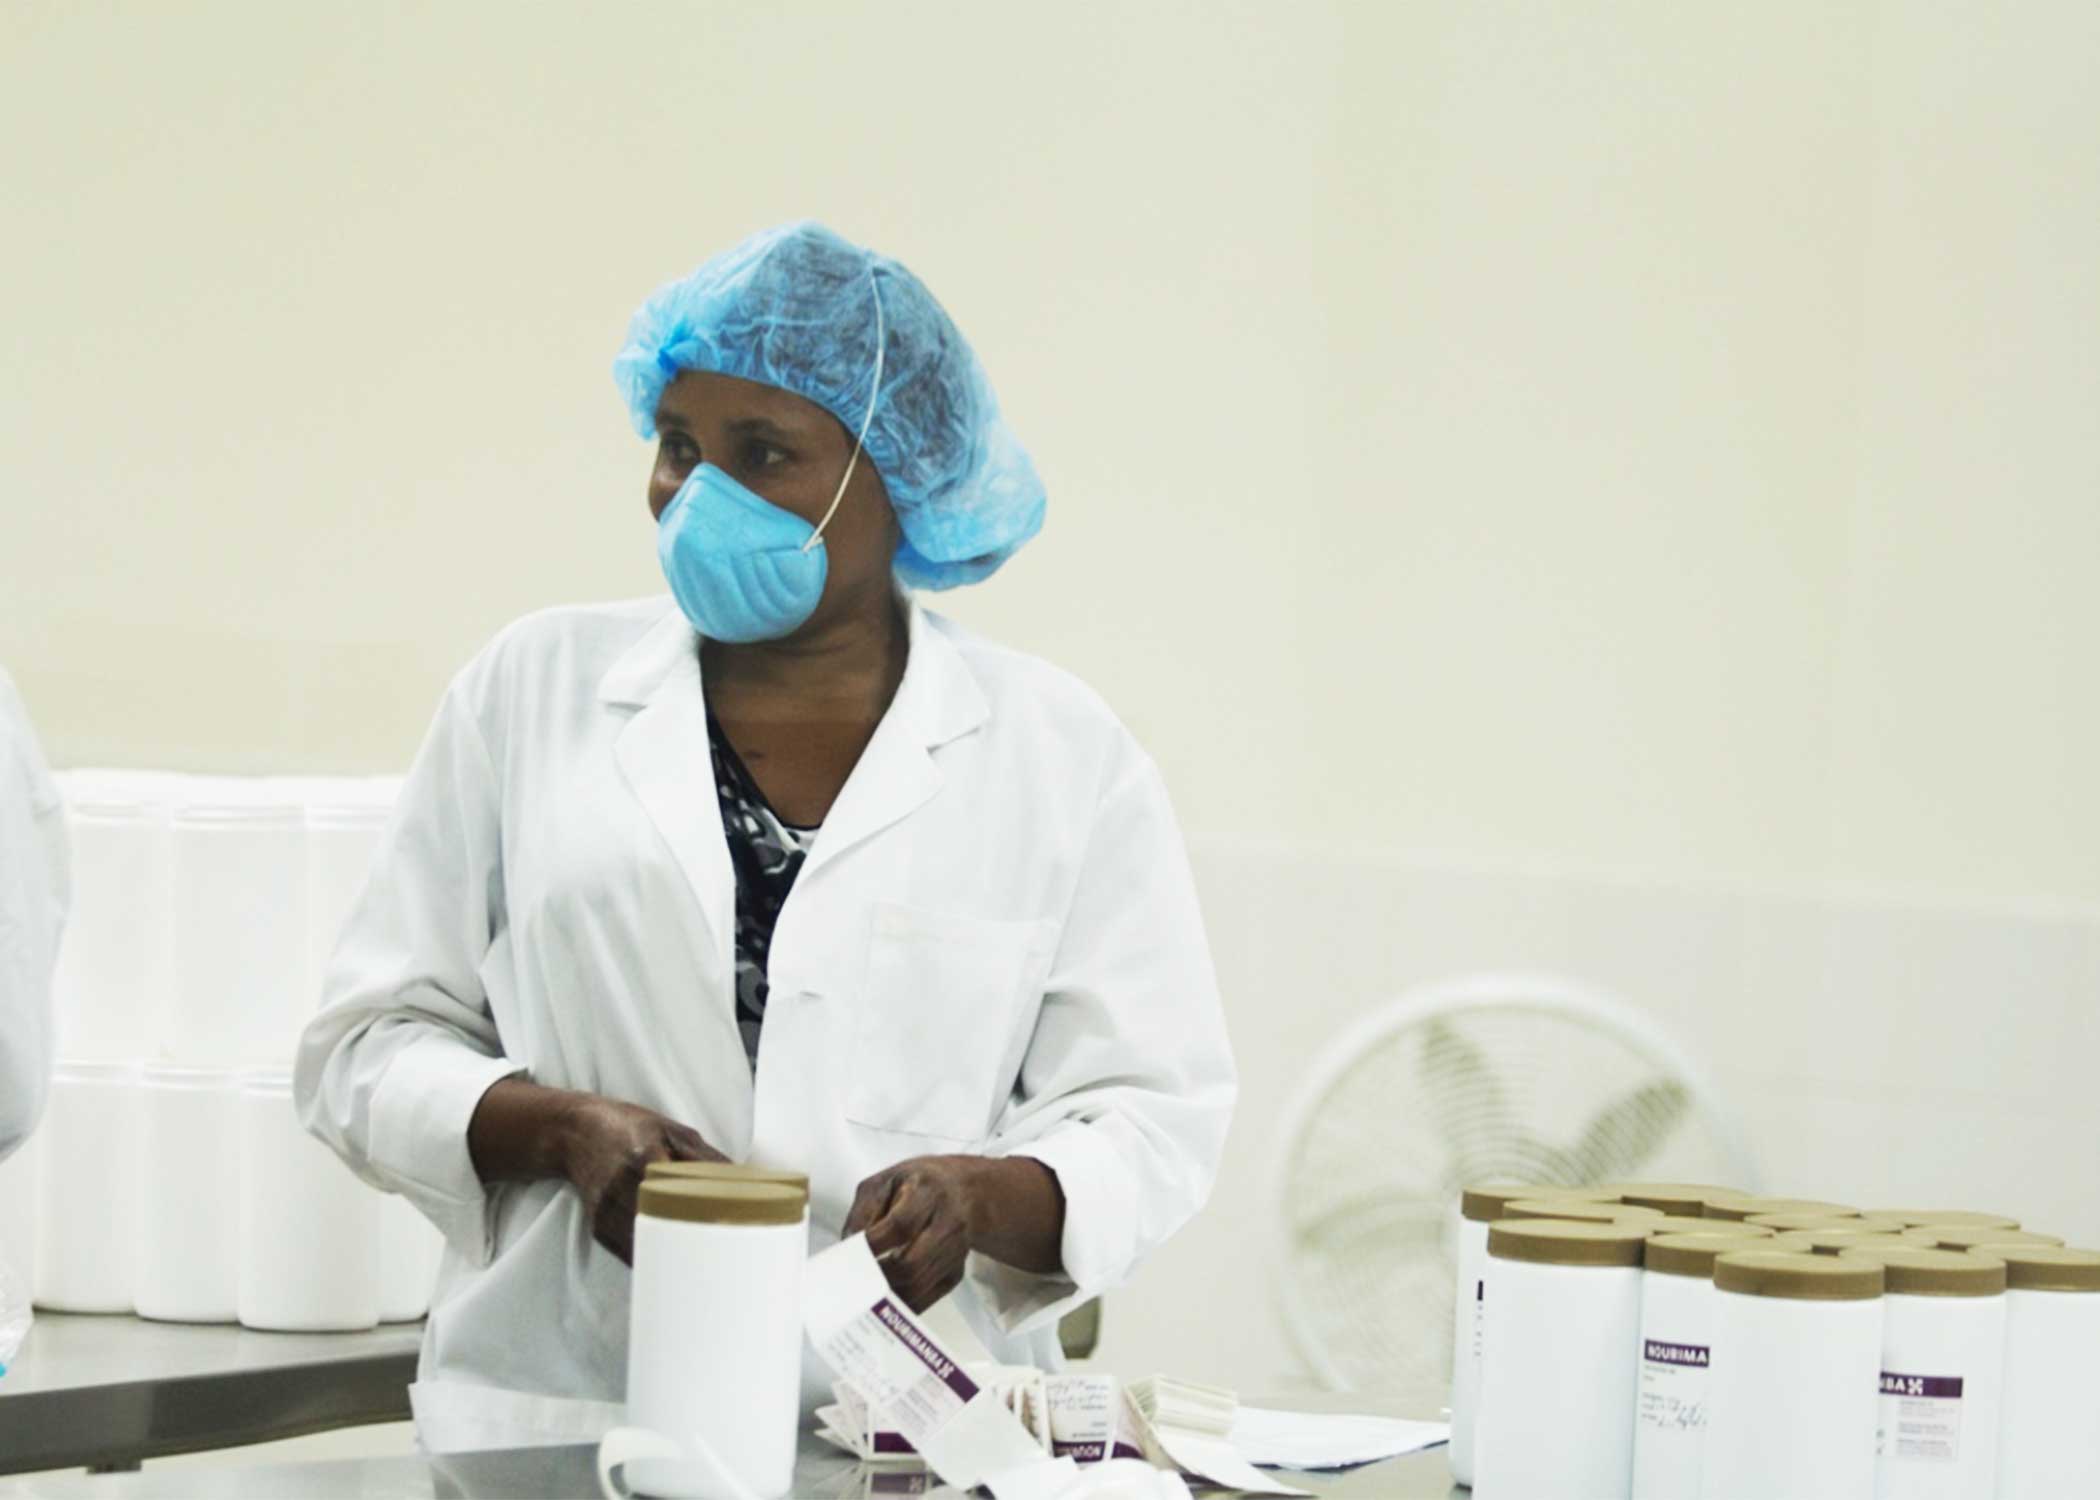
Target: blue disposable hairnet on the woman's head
<point>795,308</point>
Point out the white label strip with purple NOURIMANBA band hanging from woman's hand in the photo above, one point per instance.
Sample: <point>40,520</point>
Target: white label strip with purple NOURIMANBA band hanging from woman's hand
<point>894,1367</point>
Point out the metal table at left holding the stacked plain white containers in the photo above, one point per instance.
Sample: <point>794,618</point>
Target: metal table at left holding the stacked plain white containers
<point>121,1390</point>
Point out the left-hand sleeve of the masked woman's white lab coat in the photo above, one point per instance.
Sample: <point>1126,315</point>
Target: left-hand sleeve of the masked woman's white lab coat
<point>392,1068</point>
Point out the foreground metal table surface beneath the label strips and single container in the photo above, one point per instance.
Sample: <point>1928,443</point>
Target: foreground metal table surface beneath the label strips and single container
<point>543,1474</point>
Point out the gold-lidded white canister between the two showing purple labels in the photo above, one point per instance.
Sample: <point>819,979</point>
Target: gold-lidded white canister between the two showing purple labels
<point>1797,1377</point>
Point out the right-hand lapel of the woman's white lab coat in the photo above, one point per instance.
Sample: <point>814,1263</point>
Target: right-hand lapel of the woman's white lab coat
<point>898,774</point>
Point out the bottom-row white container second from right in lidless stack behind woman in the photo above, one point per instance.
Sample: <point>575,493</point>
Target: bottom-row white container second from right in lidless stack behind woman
<point>310,1236</point>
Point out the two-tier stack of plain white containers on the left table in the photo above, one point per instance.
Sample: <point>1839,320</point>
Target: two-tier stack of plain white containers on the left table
<point>171,1175</point>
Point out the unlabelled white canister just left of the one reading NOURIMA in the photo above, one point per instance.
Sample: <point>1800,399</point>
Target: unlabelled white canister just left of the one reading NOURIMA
<point>1557,1367</point>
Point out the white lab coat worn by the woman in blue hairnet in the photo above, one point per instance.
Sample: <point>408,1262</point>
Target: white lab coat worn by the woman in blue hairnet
<point>992,949</point>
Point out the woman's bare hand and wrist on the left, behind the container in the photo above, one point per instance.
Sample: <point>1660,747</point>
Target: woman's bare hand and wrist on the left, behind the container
<point>524,1131</point>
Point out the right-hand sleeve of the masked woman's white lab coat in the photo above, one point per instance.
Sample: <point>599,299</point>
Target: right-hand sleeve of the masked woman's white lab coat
<point>1129,1081</point>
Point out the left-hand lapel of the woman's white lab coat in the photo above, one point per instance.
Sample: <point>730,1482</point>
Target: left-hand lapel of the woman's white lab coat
<point>663,753</point>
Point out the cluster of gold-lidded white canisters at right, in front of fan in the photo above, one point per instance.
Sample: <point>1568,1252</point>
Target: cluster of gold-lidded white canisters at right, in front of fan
<point>1750,1348</point>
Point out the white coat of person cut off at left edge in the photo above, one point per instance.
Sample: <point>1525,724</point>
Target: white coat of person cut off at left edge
<point>35,890</point>
